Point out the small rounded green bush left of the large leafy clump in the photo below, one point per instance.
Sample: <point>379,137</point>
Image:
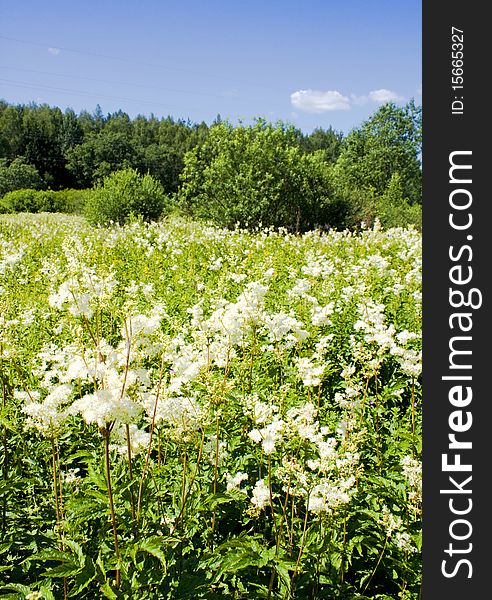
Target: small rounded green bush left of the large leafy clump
<point>125,193</point>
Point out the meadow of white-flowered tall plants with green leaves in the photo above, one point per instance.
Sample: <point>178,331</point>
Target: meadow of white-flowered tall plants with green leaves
<point>191,412</point>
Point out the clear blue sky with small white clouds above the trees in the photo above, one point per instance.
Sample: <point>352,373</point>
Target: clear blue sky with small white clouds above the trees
<point>311,63</point>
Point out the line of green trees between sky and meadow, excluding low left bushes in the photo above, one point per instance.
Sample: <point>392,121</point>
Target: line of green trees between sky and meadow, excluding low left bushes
<point>273,174</point>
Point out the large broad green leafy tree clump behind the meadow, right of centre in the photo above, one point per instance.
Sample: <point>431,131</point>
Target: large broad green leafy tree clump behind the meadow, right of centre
<point>258,175</point>
